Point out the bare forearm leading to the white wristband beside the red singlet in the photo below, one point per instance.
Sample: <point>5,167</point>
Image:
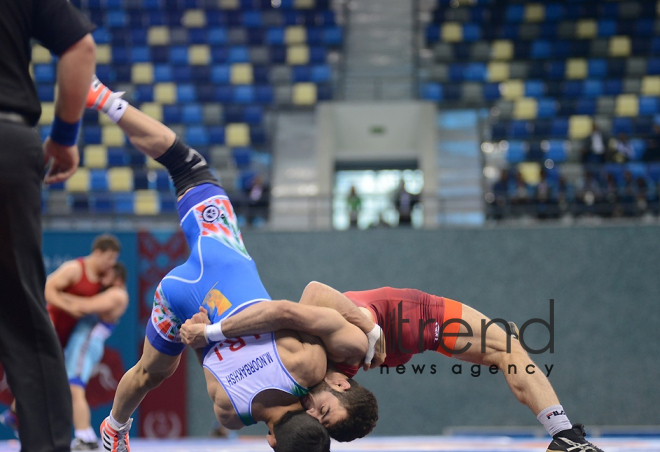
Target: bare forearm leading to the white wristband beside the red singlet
<point>321,295</point>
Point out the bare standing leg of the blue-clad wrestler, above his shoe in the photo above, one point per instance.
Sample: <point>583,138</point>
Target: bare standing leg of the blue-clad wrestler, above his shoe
<point>149,372</point>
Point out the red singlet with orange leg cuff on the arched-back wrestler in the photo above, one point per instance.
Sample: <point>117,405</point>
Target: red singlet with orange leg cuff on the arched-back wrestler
<point>392,307</point>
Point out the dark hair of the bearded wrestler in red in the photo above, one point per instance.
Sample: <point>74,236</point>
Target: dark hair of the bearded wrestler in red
<point>362,410</point>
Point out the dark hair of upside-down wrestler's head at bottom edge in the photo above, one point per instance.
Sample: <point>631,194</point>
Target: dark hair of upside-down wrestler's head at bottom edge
<point>297,431</point>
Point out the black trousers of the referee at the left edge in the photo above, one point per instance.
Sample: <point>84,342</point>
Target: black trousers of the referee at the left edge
<point>29,349</point>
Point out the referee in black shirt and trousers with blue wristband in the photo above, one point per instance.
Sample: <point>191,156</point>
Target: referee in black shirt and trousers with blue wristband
<point>29,350</point>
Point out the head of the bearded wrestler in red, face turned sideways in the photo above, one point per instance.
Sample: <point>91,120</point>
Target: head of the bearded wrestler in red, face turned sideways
<point>345,408</point>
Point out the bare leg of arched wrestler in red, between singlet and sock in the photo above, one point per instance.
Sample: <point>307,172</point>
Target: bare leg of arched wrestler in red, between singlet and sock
<point>532,390</point>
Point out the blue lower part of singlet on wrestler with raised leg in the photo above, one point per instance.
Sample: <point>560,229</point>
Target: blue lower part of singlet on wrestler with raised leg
<point>219,274</point>
